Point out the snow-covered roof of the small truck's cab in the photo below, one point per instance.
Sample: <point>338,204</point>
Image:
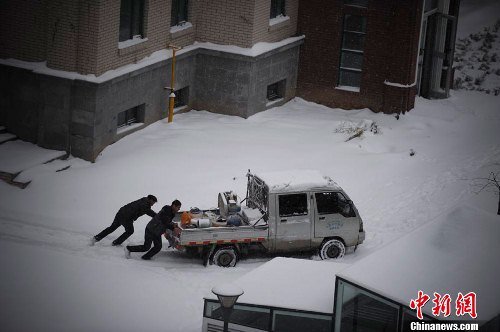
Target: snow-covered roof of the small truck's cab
<point>297,180</point>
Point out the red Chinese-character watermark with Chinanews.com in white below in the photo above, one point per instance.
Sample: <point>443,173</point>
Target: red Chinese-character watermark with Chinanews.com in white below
<point>445,306</point>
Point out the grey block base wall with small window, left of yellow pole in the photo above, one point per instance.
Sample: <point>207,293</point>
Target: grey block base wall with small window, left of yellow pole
<point>144,87</point>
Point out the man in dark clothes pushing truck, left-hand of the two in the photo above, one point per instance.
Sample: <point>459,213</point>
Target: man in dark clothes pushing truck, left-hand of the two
<point>126,217</point>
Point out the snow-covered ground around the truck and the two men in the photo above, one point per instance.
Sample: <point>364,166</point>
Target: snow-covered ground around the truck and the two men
<point>51,280</point>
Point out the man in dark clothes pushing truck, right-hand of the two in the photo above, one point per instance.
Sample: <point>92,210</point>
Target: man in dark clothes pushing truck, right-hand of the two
<point>154,230</point>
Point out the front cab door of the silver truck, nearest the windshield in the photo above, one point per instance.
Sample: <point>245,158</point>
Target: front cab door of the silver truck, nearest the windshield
<point>334,216</point>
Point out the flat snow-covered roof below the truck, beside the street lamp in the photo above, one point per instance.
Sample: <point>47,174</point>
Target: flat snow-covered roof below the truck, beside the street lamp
<point>291,283</point>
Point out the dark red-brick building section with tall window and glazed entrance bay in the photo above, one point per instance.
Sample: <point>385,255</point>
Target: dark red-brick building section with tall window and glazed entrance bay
<point>376,54</point>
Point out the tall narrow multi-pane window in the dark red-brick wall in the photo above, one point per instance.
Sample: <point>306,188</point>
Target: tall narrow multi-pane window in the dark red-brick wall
<point>351,56</point>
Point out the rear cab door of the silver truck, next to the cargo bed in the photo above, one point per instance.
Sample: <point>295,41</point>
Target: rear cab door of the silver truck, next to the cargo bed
<point>293,222</point>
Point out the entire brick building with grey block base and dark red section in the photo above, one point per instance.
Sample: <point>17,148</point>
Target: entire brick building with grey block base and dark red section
<point>79,75</point>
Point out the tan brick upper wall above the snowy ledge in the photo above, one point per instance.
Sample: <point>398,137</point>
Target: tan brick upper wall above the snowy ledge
<point>82,36</point>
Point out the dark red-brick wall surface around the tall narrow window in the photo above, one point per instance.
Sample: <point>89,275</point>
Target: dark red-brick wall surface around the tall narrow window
<point>390,51</point>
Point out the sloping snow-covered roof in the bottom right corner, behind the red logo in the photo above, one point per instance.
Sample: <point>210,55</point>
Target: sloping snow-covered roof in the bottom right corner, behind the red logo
<point>456,253</point>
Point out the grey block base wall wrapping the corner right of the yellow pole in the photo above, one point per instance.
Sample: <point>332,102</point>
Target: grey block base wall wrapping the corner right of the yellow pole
<point>234,84</point>
